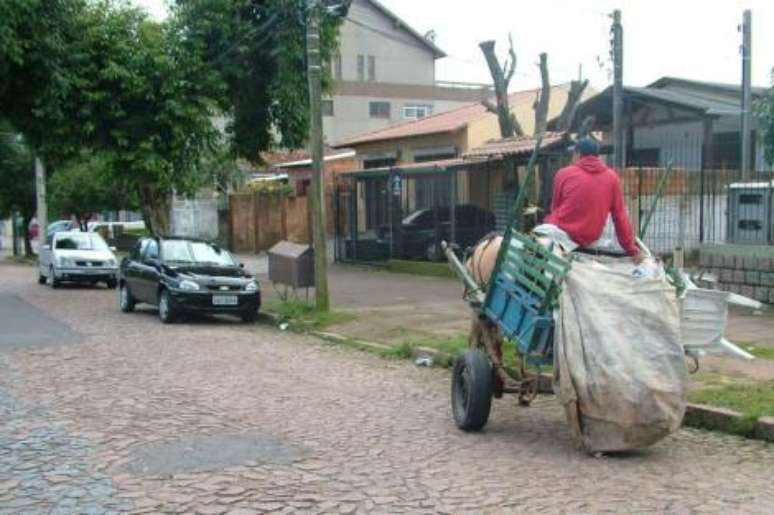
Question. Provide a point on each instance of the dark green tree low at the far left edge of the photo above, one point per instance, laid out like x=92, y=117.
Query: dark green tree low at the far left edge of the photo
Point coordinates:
x=17, y=179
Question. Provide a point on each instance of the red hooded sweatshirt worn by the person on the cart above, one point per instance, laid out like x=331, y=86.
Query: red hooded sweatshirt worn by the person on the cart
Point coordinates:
x=585, y=193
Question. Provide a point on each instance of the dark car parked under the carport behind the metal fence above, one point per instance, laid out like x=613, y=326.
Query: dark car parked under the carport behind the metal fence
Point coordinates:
x=418, y=231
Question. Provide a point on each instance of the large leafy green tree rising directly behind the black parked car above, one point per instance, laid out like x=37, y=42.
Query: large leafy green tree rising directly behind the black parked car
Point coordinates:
x=145, y=101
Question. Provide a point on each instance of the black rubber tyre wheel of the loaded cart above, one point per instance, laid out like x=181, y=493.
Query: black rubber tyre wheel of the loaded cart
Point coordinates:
x=472, y=390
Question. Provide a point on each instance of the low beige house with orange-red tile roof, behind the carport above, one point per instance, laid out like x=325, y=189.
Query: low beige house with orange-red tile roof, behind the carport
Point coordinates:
x=441, y=140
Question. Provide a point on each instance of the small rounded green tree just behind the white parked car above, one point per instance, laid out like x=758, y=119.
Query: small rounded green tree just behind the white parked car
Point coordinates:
x=85, y=186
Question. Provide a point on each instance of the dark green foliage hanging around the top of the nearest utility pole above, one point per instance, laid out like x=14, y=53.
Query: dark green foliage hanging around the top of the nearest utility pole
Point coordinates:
x=257, y=48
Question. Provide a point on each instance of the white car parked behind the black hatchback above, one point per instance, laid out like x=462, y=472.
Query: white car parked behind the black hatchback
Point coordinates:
x=78, y=257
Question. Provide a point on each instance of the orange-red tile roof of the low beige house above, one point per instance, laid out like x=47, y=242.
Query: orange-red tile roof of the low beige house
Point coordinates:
x=449, y=121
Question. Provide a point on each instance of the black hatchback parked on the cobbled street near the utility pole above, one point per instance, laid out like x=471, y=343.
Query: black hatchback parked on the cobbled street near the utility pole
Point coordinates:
x=187, y=276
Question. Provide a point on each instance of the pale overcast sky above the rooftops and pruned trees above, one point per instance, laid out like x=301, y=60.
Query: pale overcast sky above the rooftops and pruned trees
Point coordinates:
x=694, y=39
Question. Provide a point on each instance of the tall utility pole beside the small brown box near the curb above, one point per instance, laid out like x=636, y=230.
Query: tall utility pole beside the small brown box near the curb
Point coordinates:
x=314, y=74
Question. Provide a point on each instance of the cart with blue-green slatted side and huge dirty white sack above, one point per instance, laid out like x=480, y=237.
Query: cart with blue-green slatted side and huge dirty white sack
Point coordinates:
x=617, y=338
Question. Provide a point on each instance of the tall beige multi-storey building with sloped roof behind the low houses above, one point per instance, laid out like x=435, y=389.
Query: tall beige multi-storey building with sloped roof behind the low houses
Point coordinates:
x=385, y=74
